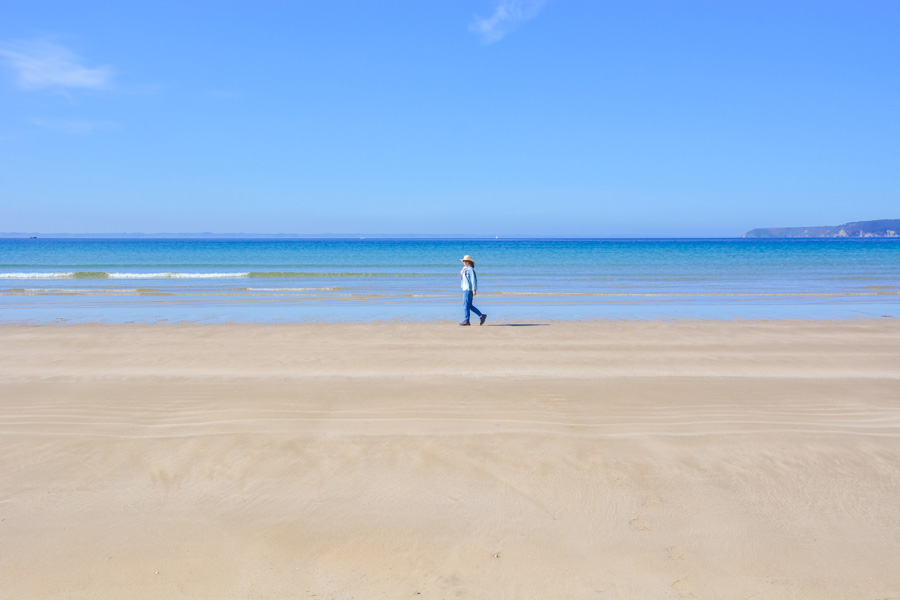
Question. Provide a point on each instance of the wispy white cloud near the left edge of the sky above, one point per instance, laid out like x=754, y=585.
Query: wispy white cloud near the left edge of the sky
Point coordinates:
x=44, y=64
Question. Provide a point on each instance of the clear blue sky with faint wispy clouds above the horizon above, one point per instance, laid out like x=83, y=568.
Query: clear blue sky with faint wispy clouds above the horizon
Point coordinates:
x=483, y=117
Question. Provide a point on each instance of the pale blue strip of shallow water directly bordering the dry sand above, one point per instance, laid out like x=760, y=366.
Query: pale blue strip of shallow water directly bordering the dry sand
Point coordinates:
x=561, y=309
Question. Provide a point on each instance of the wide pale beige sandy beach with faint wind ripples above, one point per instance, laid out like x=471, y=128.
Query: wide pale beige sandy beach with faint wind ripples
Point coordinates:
x=644, y=460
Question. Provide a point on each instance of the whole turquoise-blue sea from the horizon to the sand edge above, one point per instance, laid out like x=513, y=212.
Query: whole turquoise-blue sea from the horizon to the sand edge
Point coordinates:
x=51, y=280
